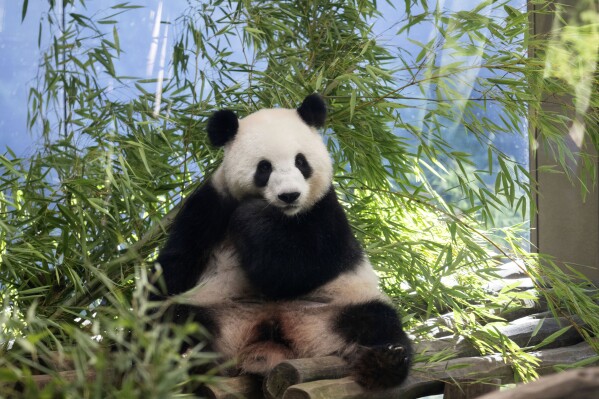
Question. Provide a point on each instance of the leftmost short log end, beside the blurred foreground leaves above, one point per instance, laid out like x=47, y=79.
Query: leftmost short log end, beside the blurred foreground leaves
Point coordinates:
x=245, y=386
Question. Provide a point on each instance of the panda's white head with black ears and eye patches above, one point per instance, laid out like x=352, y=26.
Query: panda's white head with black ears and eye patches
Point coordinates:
x=275, y=154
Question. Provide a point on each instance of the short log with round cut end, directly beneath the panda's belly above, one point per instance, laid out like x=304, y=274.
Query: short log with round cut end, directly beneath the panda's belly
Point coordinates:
x=297, y=371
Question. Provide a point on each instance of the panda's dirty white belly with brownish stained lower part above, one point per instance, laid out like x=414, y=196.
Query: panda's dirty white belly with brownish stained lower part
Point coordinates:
x=260, y=333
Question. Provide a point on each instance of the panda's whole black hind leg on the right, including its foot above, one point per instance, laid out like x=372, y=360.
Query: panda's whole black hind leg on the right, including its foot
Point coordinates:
x=386, y=354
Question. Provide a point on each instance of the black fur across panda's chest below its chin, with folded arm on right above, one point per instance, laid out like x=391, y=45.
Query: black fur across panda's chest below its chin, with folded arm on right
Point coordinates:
x=289, y=256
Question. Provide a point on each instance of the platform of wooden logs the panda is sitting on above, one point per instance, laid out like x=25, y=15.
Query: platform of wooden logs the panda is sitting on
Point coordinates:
x=327, y=377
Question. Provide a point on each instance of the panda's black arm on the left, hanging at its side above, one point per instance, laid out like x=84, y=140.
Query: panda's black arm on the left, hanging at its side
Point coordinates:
x=199, y=226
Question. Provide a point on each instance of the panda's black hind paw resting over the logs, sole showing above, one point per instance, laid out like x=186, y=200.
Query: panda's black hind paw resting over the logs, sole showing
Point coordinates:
x=381, y=367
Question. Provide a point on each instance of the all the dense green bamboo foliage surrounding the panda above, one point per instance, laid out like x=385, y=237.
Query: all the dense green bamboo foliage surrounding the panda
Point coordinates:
x=85, y=214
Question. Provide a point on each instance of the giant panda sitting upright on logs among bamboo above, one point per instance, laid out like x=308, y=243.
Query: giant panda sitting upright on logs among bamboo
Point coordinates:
x=265, y=259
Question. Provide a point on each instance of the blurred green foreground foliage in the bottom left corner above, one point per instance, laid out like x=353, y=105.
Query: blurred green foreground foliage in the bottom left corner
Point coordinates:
x=139, y=362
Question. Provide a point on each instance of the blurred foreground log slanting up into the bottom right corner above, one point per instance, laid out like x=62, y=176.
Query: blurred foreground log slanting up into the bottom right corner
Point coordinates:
x=573, y=384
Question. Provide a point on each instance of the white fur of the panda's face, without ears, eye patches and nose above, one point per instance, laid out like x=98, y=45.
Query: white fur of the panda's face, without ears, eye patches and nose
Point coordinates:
x=276, y=135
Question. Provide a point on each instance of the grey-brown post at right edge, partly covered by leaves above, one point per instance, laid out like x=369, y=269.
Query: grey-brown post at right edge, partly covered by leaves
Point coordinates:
x=565, y=226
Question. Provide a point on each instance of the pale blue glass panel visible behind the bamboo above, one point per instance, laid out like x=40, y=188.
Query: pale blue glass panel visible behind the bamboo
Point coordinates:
x=147, y=35
